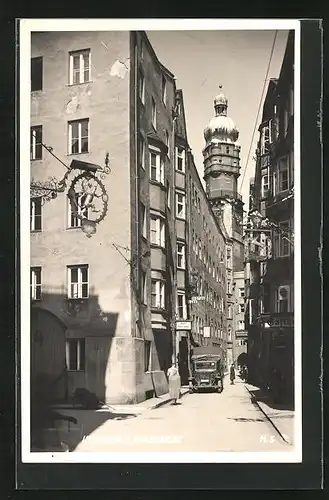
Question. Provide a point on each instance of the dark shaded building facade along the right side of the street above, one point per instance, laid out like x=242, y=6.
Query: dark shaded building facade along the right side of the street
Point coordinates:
x=270, y=252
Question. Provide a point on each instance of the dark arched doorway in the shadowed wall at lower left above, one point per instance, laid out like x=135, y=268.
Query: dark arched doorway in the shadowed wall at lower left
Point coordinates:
x=48, y=363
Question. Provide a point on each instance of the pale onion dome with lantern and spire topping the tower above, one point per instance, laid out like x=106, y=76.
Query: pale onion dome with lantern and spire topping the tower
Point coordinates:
x=221, y=127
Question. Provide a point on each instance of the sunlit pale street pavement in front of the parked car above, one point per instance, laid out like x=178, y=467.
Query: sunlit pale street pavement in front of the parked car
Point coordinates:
x=201, y=422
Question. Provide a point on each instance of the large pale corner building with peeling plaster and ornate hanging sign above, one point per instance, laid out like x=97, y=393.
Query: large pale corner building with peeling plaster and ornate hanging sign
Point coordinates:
x=110, y=298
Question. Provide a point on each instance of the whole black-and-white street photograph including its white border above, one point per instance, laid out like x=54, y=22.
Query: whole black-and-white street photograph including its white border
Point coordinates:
x=161, y=265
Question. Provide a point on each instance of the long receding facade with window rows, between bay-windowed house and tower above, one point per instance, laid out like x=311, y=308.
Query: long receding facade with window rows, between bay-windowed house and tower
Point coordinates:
x=207, y=267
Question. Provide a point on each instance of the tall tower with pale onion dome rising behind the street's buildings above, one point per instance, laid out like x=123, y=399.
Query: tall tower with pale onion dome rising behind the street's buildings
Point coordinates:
x=221, y=172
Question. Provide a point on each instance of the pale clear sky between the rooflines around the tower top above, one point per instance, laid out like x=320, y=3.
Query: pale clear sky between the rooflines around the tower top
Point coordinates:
x=236, y=59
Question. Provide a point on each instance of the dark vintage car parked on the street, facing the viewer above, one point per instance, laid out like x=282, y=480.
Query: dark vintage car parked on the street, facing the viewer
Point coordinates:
x=207, y=367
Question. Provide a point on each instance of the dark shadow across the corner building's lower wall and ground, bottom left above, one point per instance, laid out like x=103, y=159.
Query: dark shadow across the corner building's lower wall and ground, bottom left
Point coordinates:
x=70, y=344
